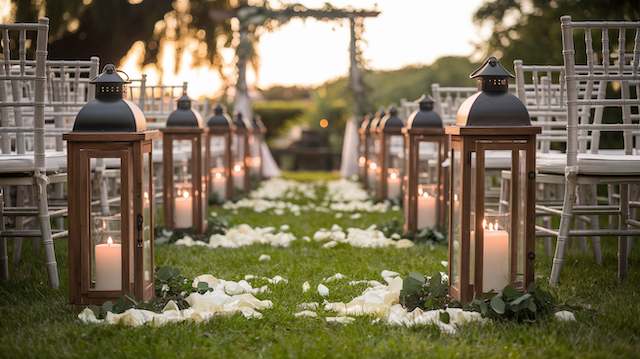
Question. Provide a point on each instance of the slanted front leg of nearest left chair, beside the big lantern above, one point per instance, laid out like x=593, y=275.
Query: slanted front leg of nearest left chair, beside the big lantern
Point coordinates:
x=45, y=229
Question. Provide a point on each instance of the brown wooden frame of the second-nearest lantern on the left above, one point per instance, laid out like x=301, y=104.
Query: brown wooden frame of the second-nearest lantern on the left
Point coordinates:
x=196, y=136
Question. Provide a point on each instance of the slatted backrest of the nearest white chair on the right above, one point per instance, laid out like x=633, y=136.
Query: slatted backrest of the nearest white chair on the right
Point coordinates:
x=623, y=73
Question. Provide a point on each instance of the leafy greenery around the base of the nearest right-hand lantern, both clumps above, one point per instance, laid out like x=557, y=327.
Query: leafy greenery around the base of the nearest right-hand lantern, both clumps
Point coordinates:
x=512, y=304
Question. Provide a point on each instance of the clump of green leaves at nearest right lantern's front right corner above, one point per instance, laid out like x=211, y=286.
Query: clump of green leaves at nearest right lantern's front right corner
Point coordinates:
x=516, y=305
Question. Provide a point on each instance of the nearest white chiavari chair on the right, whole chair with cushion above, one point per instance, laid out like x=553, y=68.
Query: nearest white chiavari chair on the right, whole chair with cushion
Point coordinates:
x=587, y=163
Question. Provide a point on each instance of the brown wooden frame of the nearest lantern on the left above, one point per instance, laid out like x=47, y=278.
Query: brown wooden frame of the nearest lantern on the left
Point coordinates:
x=129, y=148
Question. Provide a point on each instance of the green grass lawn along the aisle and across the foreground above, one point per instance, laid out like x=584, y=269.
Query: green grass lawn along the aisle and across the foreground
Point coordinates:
x=37, y=322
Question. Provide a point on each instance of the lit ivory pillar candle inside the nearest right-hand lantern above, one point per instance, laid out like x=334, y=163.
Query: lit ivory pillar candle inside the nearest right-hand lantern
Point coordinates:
x=495, y=260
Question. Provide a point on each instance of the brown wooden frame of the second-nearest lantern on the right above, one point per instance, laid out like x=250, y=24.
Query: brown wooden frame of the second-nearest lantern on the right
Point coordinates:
x=412, y=139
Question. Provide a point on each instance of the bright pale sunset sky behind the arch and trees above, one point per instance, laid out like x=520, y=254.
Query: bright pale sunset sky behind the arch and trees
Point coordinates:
x=310, y=52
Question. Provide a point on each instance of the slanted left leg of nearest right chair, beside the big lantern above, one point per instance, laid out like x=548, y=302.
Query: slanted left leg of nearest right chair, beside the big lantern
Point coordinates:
x=565, y=224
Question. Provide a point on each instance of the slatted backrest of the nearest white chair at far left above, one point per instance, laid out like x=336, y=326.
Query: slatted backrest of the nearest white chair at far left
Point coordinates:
x=17, y=81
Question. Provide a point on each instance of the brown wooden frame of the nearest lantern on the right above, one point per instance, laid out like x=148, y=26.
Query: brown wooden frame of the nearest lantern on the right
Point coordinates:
x=475, y=139
